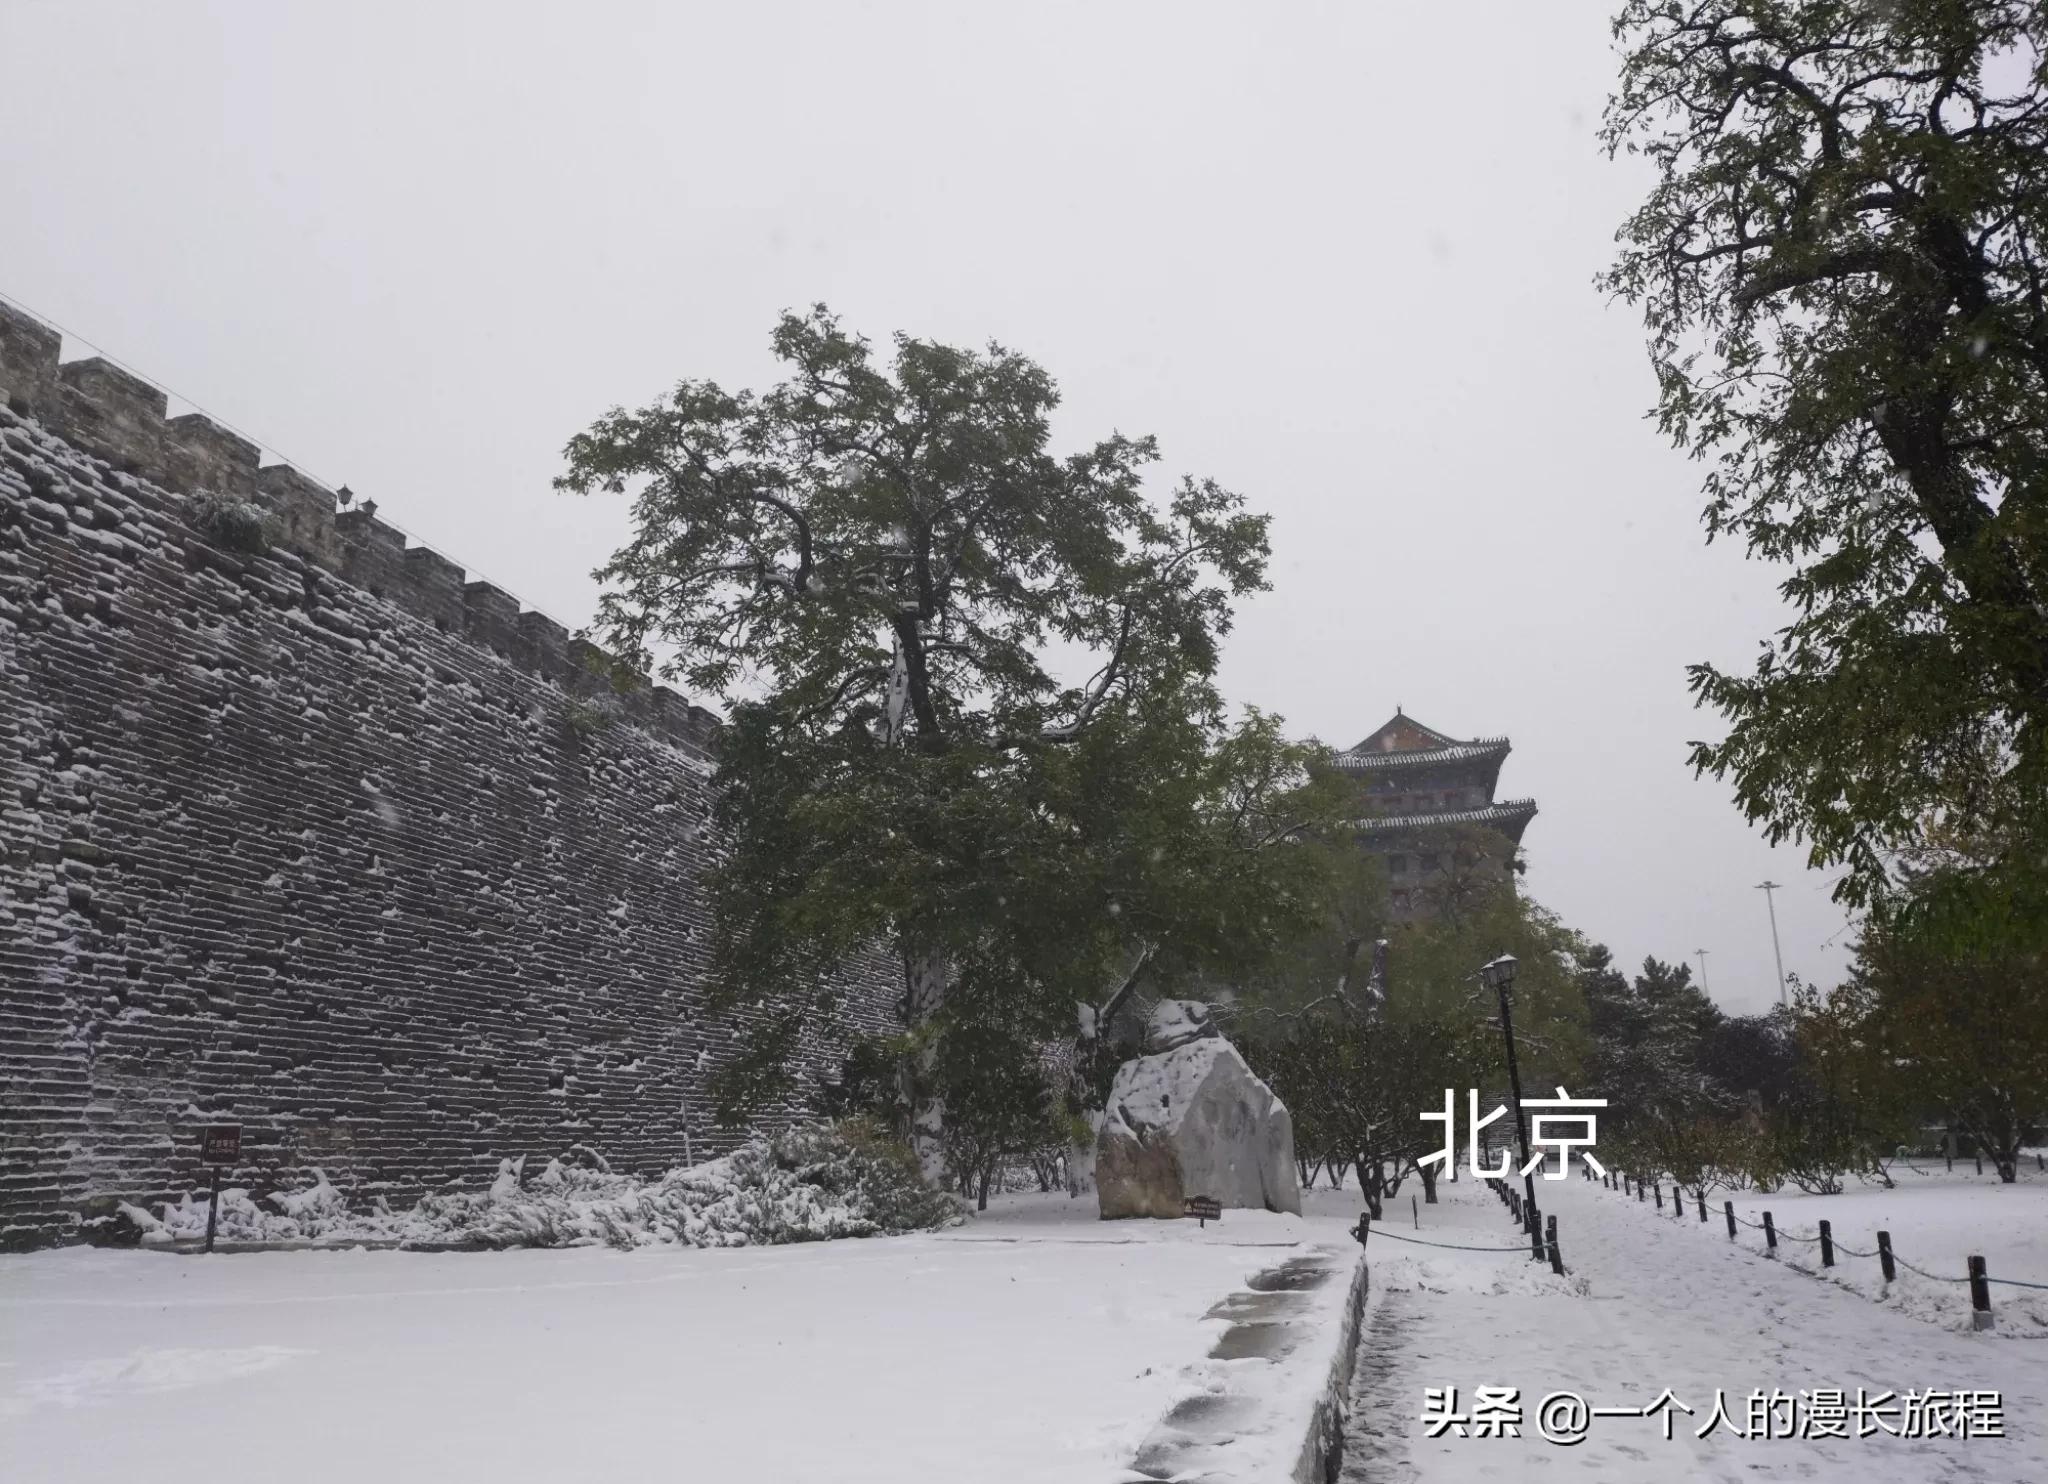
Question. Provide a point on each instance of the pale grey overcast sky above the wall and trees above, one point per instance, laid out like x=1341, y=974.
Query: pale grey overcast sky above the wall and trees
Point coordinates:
x=1336, y=257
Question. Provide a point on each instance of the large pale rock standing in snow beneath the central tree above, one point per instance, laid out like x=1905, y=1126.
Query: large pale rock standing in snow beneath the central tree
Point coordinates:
x=1193, y=1121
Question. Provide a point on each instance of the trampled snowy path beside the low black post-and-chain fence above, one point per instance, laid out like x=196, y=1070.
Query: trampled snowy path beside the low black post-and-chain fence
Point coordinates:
x=1664, y=1305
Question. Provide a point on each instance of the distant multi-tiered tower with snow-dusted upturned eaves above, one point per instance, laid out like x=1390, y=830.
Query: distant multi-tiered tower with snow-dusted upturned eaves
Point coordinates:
x=1433, y=816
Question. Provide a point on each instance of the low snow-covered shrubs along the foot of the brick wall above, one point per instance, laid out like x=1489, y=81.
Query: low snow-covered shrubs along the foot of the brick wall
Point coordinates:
x=800, y=1186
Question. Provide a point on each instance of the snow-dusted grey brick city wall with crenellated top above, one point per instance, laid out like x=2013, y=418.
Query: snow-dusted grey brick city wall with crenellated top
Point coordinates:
x=306, y=832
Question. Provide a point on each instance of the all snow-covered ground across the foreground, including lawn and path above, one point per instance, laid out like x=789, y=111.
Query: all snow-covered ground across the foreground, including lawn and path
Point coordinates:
x=1033, y=1344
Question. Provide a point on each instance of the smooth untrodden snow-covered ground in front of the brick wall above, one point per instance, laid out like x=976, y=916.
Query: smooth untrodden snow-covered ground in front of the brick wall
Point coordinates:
x=1035, y=1344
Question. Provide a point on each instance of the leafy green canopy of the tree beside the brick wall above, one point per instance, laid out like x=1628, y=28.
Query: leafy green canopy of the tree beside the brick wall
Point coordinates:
x=970, y=689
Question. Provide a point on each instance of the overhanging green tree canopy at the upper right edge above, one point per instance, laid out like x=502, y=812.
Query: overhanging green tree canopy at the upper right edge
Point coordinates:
x=1842, y=273
